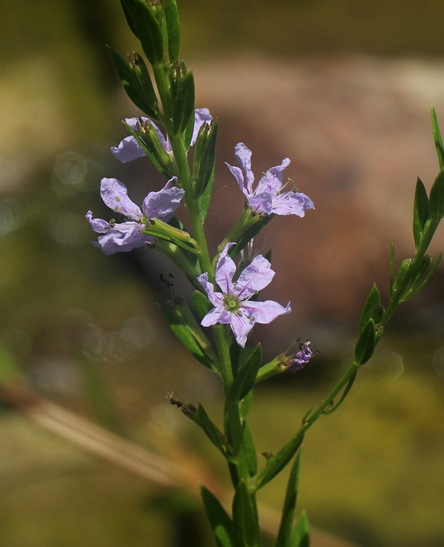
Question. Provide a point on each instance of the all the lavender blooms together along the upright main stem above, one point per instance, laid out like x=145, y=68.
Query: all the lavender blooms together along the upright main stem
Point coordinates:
x=235, y=304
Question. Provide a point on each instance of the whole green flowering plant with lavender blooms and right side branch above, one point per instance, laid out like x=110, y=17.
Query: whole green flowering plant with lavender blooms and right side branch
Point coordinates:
x=180, y=141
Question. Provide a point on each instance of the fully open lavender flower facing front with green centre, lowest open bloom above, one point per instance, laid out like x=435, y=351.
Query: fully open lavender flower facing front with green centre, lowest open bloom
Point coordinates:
x=233, y=306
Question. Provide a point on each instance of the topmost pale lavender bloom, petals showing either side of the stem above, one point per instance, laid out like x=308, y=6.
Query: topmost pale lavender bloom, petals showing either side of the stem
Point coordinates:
x=129, y=149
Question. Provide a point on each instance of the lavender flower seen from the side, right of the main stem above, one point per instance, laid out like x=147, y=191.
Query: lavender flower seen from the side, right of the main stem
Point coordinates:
x=268, y=198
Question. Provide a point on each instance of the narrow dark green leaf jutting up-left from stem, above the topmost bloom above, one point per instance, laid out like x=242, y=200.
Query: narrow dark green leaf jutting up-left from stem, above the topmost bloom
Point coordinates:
x=139, y=95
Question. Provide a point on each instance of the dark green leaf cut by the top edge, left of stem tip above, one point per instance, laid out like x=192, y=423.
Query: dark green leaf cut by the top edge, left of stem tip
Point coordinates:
x=148, y=29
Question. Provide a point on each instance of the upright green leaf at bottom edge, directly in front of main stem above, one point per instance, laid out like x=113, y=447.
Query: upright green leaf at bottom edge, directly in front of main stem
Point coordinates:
x=244, y=516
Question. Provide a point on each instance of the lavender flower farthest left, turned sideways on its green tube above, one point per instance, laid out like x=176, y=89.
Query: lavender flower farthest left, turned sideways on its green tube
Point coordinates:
x=127, y=235
